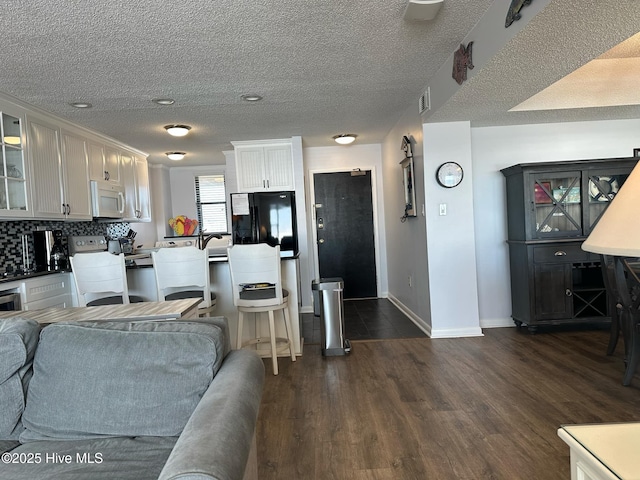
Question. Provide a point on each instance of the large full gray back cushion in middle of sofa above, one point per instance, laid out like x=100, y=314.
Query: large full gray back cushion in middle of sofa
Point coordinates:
x=93, y=379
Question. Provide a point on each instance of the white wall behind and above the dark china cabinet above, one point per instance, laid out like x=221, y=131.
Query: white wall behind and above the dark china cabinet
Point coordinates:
x=494, y=148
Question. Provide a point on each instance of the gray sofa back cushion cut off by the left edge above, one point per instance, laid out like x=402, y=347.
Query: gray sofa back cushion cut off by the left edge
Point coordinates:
x=18, y=342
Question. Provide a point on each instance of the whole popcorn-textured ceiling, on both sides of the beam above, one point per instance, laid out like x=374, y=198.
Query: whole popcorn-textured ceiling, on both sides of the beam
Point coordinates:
x=323, y=68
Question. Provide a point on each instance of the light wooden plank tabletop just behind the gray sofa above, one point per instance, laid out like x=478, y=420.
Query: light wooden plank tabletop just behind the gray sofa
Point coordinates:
x=169, y=310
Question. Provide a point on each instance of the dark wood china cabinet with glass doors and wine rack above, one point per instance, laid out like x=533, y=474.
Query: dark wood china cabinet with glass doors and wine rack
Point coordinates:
x=551, y=209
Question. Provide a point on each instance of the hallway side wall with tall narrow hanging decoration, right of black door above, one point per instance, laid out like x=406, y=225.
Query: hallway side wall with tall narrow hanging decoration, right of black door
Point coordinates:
x=408, y=282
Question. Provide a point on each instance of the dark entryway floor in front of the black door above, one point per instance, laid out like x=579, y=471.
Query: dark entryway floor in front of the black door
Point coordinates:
x=371, y=319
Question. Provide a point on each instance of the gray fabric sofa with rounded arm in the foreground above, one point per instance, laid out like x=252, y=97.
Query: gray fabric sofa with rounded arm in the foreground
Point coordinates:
x=127, y=400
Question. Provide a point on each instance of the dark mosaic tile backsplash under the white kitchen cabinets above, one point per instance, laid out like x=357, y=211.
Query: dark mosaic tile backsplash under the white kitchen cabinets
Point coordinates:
x=11, y=235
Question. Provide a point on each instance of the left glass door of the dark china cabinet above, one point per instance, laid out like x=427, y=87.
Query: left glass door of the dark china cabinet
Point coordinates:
x=557, y=205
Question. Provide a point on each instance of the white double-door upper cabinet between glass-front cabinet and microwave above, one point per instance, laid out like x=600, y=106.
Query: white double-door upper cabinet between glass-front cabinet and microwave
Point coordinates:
x=59, y=172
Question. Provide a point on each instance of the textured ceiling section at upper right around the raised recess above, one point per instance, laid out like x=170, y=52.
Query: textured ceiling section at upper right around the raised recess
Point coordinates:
x=563, y=37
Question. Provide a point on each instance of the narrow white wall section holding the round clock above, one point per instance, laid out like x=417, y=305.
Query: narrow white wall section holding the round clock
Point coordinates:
x=450, y=237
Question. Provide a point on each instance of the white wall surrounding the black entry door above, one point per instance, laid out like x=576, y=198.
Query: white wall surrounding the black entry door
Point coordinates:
x=346, y=158
